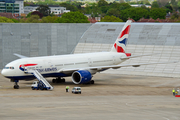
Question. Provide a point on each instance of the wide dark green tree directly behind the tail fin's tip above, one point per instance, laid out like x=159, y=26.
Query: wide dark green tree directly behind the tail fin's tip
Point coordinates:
x=134, y=13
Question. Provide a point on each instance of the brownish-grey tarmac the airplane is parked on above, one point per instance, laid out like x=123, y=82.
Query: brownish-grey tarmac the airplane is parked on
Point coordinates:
x=112, y=97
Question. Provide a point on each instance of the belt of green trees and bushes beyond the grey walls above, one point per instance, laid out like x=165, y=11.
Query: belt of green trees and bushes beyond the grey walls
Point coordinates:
x=116, y=11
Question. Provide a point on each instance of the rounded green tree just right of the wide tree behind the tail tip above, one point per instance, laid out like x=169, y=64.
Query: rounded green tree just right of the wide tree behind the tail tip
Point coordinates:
x=158, y=13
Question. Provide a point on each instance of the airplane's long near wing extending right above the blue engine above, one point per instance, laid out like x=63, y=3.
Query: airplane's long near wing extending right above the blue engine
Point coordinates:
x=101, y=68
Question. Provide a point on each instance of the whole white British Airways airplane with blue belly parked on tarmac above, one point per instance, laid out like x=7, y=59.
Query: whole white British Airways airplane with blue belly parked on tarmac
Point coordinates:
x=81, y=67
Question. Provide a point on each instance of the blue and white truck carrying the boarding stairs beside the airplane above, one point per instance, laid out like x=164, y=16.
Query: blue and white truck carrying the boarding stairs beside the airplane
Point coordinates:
x=38, y=85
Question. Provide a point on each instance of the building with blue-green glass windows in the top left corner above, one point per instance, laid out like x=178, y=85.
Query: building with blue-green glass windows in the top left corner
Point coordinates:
x=12, y=6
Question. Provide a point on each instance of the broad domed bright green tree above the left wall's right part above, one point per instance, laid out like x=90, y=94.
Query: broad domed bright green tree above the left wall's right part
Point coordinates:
x=72, y=17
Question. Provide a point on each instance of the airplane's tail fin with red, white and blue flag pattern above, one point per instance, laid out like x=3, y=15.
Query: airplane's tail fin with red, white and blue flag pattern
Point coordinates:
x=120, y=43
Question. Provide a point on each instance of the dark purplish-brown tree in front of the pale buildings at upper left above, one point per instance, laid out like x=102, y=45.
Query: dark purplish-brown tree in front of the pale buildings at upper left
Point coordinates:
x=44, y=9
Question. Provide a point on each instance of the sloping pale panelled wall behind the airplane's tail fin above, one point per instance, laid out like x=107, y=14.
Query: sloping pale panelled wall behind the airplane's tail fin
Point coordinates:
x=144, y=38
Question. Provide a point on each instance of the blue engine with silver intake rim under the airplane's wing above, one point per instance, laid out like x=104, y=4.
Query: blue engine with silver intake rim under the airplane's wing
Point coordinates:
x=81, y=76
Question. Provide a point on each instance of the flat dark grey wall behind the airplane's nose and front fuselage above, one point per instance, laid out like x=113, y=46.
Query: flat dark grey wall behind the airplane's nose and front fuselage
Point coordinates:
x=38, y=39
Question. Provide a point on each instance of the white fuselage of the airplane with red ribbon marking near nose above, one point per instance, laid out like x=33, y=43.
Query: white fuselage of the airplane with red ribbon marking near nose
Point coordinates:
x=49, y=66
